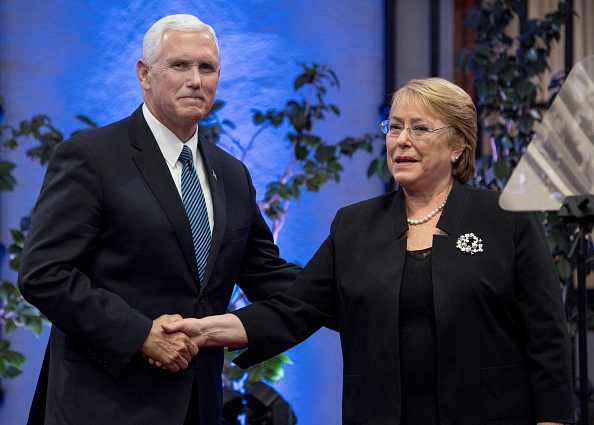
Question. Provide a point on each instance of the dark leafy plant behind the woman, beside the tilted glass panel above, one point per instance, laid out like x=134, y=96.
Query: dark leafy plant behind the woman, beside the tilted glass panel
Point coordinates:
x=507, y=75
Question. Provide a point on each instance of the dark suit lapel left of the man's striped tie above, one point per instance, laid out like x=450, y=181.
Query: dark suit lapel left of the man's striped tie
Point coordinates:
x=153, y=168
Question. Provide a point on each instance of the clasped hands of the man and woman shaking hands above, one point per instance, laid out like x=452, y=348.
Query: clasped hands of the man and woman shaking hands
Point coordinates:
x=173, y=341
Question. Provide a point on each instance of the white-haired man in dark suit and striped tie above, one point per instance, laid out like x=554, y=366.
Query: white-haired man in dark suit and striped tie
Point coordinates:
x=110, y=253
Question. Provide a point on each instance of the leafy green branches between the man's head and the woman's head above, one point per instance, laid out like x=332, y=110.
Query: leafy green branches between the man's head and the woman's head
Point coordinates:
x=312, y=161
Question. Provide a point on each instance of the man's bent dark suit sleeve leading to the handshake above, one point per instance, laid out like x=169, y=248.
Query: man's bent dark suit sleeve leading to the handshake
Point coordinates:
x=59, y=254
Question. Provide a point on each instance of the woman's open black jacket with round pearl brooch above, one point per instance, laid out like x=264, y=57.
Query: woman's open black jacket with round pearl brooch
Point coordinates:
x=502, y=344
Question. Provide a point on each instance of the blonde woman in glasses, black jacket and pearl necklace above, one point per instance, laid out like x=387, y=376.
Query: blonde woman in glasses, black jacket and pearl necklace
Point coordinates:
x=449, y=308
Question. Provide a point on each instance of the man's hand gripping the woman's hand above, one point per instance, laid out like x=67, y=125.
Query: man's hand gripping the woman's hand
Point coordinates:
x=171, y=351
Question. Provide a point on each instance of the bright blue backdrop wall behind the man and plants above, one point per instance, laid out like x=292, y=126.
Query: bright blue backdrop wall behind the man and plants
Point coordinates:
x=68, y=57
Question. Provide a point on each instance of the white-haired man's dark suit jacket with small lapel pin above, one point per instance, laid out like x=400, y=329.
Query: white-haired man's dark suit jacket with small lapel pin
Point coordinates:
x=110, y=249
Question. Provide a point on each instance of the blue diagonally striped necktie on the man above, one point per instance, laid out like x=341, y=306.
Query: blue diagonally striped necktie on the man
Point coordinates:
x=195, y=205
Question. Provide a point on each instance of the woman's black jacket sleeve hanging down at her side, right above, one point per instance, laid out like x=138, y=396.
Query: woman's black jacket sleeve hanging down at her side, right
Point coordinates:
x=538, y=293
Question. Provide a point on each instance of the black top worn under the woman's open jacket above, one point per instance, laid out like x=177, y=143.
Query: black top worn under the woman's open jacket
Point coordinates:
x=418, y=354
